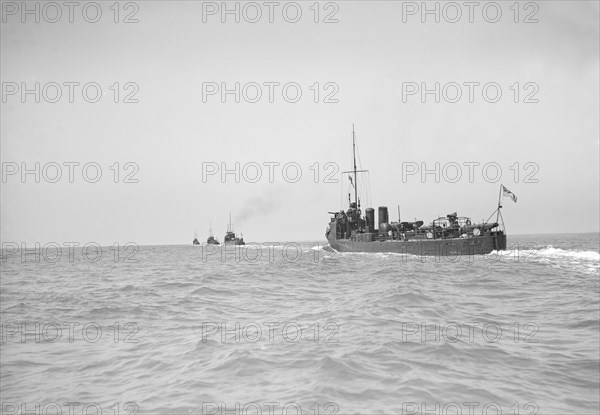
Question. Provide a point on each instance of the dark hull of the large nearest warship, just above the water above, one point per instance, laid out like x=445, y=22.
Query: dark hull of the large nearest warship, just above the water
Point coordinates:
x=476, y=245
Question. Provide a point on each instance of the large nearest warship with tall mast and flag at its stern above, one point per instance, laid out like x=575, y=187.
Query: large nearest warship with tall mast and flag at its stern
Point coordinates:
x=450, y=235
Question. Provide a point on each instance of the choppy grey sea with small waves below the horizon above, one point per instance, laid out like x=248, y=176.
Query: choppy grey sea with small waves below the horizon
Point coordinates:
x=297, y=329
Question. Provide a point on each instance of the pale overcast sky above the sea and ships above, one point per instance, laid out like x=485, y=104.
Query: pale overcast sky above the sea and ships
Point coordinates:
x=367, y=58
